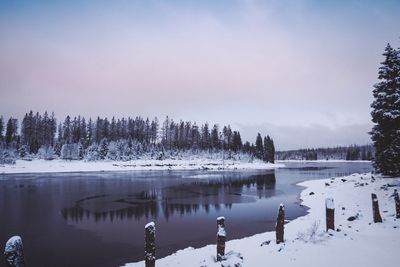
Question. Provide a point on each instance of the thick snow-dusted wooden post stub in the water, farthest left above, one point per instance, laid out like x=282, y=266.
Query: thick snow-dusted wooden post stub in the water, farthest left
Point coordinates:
x=14, y=252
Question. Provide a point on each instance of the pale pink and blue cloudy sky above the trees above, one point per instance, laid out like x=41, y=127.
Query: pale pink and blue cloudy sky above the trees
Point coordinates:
x=301, y=71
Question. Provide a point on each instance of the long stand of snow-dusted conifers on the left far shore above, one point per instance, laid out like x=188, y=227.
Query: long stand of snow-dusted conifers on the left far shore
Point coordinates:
x=121, y=139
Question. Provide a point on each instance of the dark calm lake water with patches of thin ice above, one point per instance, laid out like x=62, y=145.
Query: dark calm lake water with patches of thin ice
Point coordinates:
x=97, y=219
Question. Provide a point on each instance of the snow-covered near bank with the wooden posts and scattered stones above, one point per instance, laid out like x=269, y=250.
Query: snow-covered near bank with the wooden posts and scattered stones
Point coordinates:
x=357, y=241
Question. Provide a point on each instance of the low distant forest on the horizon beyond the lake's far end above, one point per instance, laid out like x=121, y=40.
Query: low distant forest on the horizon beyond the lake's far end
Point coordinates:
x=353, y=152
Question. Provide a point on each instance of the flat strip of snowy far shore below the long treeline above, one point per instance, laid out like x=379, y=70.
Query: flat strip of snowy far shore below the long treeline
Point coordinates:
x=58, y=165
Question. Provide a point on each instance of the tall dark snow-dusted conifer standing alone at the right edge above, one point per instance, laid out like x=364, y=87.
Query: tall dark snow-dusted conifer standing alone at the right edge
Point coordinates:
x=385, y=133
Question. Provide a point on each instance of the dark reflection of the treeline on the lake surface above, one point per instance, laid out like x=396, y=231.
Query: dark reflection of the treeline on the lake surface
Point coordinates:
x=186, y=198
